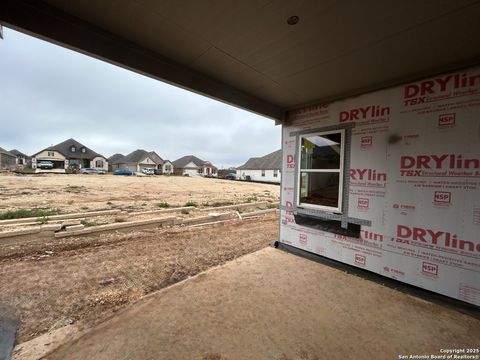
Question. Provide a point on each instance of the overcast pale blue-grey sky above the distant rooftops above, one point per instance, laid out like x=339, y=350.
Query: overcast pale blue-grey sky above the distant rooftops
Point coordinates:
x=49, y=94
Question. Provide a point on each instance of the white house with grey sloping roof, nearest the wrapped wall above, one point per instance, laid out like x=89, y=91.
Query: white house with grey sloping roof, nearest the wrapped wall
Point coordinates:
x=264, y=169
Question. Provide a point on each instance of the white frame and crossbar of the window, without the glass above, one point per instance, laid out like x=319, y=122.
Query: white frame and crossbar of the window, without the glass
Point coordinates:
x=331, y=209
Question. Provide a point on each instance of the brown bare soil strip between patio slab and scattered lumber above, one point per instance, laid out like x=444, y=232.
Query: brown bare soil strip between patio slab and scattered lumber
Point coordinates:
x=84, y=280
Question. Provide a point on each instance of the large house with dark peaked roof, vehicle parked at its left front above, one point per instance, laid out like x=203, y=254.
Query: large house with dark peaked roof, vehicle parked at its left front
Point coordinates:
x=70, y=154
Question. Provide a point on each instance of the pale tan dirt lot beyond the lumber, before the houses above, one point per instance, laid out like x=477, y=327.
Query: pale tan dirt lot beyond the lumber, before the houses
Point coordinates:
x=74, y=193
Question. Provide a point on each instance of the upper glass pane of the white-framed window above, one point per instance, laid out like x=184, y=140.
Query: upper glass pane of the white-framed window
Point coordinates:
x=321, y=151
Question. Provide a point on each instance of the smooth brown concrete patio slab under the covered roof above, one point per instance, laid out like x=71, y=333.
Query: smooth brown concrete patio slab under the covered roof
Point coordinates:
x=275, y=305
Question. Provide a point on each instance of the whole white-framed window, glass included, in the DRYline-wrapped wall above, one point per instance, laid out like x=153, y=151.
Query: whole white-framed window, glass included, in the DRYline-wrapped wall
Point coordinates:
x=320, y=179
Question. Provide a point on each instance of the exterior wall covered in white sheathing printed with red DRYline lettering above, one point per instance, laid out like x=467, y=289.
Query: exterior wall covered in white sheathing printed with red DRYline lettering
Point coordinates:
x=413, y=184
